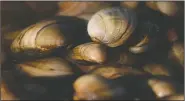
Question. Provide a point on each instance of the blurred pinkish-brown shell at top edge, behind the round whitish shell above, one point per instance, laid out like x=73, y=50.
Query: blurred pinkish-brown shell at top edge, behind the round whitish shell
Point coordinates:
x=83, y=10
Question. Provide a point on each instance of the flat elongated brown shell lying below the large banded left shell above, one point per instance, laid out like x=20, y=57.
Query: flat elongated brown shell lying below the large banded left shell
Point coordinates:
x=47, y=67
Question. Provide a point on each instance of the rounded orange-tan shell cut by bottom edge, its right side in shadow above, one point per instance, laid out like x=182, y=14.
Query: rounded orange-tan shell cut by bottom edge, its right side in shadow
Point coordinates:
x=94, y=87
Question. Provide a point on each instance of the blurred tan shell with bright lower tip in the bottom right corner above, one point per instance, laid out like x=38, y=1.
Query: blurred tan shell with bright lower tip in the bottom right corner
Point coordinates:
x=164, y=86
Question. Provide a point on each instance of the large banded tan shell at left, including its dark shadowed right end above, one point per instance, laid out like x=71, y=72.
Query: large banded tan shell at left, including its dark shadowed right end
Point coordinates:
x=44, y=37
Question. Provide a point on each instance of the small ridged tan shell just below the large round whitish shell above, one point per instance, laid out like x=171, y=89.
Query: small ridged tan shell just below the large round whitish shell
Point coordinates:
x=90, y=52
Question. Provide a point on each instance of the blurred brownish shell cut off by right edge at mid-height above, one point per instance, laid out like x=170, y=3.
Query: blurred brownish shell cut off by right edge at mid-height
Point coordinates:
x=177, y=53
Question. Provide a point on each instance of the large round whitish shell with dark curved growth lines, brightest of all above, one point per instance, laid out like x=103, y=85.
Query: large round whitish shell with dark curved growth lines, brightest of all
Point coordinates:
x=112, y=26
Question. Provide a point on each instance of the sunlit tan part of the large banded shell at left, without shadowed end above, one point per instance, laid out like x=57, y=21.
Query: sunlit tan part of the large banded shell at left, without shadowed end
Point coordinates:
x=39, y=39
